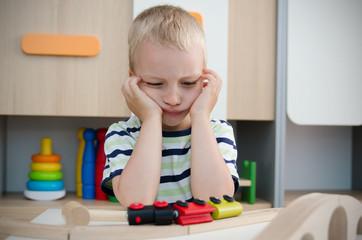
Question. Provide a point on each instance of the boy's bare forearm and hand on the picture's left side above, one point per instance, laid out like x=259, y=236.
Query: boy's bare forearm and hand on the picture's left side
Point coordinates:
x=141, y=176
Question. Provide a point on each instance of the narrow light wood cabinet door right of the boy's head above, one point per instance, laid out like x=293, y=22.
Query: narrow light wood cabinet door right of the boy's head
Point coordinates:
x=252, y=59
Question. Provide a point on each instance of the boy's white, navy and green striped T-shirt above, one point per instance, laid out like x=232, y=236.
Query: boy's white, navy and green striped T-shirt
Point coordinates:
x=175, y=181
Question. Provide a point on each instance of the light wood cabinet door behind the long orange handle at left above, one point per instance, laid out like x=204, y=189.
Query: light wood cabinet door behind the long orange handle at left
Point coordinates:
x=64, y=85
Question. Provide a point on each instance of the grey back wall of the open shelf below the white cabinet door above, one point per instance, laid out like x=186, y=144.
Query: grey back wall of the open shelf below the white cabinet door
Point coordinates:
x=318, y=157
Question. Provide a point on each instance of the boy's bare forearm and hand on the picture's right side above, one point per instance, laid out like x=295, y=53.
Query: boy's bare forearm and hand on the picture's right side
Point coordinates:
x=209, y=174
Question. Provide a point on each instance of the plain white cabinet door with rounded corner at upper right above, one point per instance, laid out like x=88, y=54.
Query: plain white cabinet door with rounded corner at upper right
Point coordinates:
x=324, y=77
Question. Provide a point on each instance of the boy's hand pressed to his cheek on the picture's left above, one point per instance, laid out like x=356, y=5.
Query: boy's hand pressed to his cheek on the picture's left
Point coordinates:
x=138, y=101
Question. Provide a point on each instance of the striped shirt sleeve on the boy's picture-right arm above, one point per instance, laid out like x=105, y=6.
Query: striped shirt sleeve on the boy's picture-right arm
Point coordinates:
x=224, y=135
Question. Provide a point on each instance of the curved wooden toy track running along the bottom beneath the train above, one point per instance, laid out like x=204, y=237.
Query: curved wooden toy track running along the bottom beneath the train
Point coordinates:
x=32, y=230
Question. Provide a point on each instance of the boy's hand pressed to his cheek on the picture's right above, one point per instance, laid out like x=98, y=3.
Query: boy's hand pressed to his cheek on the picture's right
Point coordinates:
x=206, y=101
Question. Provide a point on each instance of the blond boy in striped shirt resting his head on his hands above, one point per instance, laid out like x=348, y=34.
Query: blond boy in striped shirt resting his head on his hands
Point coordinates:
x=169, y=149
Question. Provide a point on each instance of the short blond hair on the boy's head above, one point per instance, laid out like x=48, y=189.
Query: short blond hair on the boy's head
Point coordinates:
x=168, y=26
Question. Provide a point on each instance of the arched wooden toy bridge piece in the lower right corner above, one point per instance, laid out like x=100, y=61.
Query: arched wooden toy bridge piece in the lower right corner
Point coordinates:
x=316, y=216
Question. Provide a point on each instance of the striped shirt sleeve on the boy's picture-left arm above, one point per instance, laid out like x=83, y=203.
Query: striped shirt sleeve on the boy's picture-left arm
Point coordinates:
x=118, y=147
